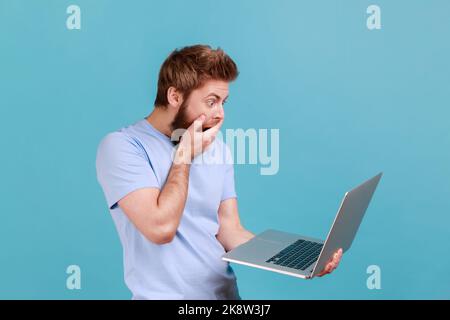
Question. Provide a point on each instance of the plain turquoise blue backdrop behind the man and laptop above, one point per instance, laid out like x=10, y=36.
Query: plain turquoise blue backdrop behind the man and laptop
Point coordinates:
x=349, y=102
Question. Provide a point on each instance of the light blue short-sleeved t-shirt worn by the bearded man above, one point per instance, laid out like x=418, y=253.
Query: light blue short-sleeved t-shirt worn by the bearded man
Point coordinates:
x=190, y=266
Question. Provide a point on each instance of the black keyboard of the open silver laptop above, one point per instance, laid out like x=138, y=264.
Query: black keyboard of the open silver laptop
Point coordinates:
x=299, y=255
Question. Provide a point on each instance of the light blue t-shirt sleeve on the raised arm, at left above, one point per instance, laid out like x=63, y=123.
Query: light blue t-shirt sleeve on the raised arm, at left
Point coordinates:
x=122, y=167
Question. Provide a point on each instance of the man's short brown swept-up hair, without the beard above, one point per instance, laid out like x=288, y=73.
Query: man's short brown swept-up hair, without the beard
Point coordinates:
x=190, y=67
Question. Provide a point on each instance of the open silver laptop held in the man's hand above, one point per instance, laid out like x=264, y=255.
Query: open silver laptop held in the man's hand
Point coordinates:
x=305, y=257
